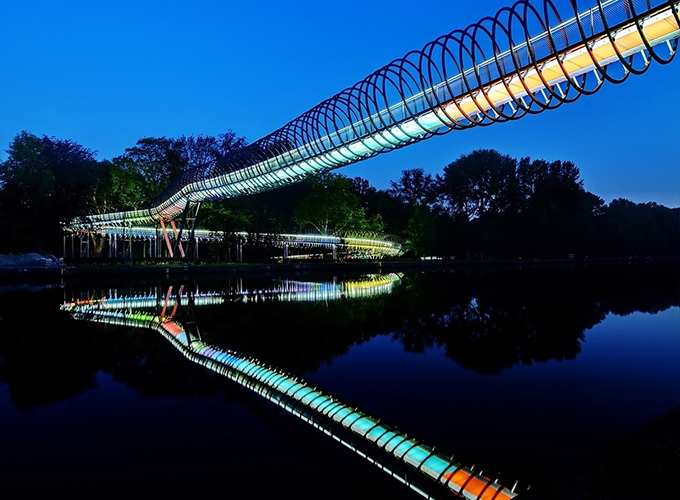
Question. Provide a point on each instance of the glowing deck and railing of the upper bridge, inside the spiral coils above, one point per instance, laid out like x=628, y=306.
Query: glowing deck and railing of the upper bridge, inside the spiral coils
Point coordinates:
x=395, y=129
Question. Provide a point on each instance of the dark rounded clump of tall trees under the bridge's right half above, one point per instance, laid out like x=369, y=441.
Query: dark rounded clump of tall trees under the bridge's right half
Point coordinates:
x=526, y=208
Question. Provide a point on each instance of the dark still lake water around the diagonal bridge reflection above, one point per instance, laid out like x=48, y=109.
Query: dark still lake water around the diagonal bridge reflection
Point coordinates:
x=523, y=372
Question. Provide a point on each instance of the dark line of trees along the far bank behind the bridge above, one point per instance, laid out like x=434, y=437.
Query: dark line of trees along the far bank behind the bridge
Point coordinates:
x=483, y=205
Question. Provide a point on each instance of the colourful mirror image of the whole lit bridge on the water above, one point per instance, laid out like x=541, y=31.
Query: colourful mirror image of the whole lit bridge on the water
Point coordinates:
x=381, y=444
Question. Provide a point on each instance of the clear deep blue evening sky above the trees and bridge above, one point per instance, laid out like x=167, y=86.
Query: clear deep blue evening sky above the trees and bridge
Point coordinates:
x=105, y=74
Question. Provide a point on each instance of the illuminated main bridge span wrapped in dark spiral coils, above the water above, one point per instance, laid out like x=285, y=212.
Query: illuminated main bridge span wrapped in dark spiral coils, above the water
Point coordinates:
x=528, y=58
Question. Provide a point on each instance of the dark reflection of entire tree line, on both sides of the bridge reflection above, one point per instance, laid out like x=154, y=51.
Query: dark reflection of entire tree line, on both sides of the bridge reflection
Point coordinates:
x=485, y=320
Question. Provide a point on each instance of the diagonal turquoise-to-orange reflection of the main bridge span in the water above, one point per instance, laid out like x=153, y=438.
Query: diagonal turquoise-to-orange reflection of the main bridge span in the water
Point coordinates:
x=301, y=399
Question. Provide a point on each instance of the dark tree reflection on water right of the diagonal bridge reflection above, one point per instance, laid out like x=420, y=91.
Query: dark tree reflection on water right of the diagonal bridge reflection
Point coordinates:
x=485, y=319
